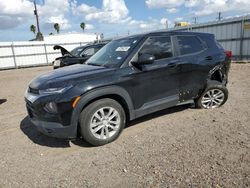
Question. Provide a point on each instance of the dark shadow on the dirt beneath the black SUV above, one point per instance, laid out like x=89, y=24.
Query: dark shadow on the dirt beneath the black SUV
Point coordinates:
x=38, y=138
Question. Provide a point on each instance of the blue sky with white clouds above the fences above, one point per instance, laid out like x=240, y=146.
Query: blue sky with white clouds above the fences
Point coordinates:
x=110, y=17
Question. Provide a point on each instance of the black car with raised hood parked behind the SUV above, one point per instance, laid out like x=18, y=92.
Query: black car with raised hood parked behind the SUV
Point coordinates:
x=77, y=56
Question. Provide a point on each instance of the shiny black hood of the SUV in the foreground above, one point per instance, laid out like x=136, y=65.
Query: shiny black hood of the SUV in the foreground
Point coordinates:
x=68, y=76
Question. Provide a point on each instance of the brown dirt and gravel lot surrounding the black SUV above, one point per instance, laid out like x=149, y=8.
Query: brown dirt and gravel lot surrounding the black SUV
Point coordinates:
x=178, y=147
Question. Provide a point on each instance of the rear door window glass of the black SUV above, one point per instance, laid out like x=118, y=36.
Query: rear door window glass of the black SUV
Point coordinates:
x=189, y=44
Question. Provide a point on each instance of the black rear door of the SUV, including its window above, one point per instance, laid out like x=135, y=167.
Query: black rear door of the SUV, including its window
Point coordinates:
x=194, y=61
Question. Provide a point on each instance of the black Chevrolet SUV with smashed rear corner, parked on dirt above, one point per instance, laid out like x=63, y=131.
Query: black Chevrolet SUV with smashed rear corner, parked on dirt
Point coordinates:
x=129, y=78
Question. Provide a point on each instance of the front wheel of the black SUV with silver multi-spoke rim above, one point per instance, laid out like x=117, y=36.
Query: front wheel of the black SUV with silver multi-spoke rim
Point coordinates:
x=102, y=121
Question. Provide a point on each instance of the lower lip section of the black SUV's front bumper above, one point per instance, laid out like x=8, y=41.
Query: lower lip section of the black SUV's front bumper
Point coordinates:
x=53, y=129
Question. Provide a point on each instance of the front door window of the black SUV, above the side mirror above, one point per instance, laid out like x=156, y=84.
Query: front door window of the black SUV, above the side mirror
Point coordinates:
x=160, y=47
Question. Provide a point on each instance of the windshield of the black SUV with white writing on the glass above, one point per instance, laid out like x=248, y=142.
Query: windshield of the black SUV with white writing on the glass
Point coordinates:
x=114, y=53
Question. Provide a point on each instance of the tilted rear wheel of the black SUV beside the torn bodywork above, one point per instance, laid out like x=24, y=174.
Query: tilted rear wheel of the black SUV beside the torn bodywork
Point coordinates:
x=214, y=96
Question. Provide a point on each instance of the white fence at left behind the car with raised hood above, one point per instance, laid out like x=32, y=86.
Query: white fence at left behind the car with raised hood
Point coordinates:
x=25, y=54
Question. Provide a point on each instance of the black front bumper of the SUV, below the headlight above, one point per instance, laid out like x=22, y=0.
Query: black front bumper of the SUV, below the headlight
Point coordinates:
x=55, y=125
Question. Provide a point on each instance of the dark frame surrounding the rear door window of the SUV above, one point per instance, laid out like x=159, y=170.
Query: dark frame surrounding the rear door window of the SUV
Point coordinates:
x=178, y=52
